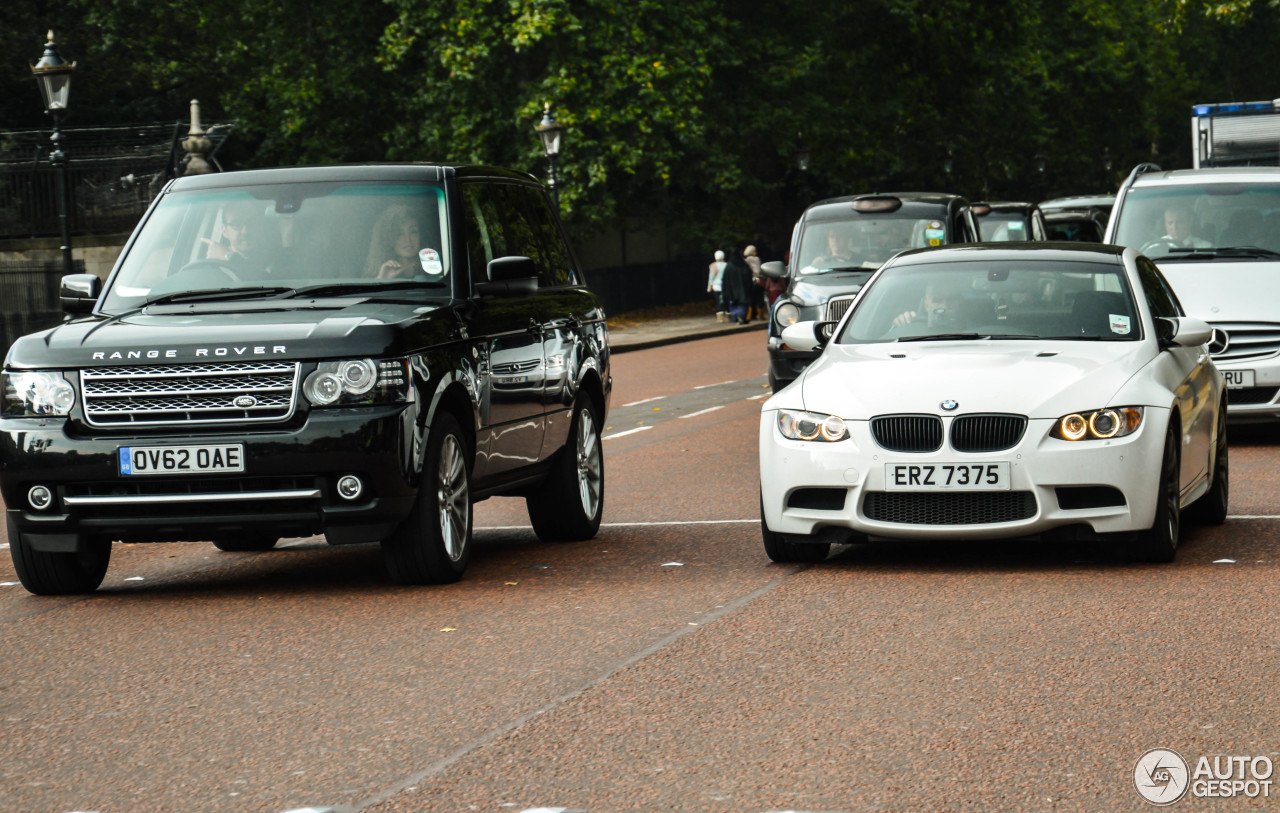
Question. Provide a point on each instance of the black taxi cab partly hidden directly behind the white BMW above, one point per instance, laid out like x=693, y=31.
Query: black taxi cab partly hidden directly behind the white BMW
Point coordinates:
x=836, y=246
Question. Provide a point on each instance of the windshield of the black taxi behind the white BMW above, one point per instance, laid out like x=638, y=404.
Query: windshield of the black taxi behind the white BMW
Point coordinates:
x=866, y=243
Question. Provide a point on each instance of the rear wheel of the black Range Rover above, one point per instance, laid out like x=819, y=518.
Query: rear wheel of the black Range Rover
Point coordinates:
x=570, y=504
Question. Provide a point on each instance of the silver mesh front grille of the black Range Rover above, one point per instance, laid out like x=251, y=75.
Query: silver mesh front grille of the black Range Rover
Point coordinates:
x=199, y=394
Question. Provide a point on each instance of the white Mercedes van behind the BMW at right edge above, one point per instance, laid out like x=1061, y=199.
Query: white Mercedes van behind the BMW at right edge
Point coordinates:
x=1214, y=235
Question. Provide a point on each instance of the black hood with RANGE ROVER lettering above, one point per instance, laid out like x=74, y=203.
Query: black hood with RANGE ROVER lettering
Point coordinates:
x=162, y=336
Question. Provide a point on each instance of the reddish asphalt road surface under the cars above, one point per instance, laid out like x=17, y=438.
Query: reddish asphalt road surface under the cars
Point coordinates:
x=602, y=677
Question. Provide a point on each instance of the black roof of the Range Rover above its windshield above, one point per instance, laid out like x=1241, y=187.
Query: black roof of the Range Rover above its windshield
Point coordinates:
x=429, y=173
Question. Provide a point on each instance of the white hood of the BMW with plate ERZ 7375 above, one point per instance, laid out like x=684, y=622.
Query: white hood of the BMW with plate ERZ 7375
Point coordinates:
x=1039, y=380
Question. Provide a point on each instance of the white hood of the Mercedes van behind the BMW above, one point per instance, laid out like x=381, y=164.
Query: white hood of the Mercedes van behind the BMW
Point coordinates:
x=1226, y=291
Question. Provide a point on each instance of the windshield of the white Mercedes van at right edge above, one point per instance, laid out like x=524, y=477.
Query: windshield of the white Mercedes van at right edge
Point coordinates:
x=1203, y=222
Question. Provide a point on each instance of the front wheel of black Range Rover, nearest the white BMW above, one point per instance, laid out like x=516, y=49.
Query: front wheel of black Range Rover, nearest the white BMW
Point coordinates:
x=433, y=545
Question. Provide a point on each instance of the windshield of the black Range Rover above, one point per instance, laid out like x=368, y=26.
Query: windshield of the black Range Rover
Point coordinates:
x=284, y=240
